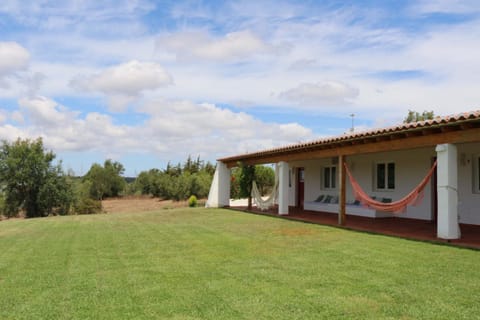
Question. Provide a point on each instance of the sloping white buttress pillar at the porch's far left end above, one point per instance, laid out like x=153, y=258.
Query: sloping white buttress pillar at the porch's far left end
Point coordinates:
x=219, y=194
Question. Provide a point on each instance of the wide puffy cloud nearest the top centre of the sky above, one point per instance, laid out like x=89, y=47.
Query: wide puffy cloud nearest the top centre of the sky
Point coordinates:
x=233, y=46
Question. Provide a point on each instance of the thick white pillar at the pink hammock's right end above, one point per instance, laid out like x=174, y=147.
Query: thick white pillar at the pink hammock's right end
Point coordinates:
x=447, y=181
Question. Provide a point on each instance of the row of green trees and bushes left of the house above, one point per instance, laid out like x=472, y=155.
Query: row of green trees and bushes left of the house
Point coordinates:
x=31, y=183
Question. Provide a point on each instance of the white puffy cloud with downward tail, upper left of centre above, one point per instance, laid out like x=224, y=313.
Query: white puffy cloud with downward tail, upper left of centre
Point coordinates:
x=125, y=82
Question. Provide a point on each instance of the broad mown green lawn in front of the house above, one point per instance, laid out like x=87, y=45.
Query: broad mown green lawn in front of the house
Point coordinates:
x=221, y=264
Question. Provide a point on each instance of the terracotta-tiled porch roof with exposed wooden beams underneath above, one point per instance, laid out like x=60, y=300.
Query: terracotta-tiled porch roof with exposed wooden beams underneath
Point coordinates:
x=459, y=128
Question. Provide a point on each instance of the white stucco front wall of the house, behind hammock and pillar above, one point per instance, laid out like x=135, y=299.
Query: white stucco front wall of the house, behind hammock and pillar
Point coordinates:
x=410, y=167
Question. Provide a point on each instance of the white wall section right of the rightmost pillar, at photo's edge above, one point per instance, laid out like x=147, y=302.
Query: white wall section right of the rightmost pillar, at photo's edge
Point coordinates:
x=468, y=200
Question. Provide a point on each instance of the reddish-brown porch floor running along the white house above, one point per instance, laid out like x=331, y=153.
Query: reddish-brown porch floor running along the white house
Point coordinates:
x=395, y=226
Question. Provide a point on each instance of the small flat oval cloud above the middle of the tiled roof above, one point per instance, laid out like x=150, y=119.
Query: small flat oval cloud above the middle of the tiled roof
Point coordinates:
x=321, y=94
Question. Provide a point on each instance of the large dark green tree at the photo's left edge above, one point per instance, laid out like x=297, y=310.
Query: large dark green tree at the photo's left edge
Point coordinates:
x=31, y=182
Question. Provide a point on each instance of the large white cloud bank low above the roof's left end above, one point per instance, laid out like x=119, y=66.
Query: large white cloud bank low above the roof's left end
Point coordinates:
x=207, y=129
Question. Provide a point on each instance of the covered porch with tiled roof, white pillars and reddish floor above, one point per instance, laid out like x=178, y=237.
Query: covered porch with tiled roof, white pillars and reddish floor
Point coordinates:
x=451, y=142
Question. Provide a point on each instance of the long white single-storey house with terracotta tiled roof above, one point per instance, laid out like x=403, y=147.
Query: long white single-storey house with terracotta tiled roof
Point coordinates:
x=387, y=163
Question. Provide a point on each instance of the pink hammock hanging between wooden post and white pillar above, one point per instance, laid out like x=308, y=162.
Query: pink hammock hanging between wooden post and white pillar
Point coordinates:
x=399, y=206
